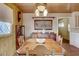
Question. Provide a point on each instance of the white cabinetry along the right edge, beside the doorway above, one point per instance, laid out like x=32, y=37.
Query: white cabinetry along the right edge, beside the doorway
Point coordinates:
x=74, y=31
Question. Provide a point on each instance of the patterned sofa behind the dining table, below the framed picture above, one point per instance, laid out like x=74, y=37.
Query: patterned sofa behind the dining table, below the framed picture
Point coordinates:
x=50, y=35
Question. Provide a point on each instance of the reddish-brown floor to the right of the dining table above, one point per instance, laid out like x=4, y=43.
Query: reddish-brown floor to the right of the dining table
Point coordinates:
x=71, y=50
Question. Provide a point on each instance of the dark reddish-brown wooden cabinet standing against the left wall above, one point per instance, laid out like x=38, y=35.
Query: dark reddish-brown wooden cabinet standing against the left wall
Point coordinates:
x=20, y=35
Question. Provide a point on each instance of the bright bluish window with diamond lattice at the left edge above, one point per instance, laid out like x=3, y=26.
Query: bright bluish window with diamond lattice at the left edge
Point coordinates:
x=5, y=28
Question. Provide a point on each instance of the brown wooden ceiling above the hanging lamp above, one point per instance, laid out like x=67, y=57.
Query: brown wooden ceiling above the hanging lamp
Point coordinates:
x=51, y=7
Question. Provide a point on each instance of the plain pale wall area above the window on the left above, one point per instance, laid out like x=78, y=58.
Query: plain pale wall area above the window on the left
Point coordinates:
x=6, y=13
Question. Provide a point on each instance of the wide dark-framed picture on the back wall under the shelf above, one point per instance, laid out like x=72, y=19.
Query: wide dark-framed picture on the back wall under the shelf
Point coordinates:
x=43, y=24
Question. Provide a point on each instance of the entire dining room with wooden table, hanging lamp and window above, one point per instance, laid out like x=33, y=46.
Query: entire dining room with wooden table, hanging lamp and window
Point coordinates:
x=39, y=29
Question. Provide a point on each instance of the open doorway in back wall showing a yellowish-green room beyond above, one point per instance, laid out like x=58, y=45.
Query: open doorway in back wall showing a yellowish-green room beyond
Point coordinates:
x=63, y=29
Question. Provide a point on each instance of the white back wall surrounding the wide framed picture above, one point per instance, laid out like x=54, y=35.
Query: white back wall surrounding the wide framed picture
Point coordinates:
x=29, y=22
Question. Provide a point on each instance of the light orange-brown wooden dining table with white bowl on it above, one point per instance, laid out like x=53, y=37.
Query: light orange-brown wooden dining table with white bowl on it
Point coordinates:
x=32, y=43
